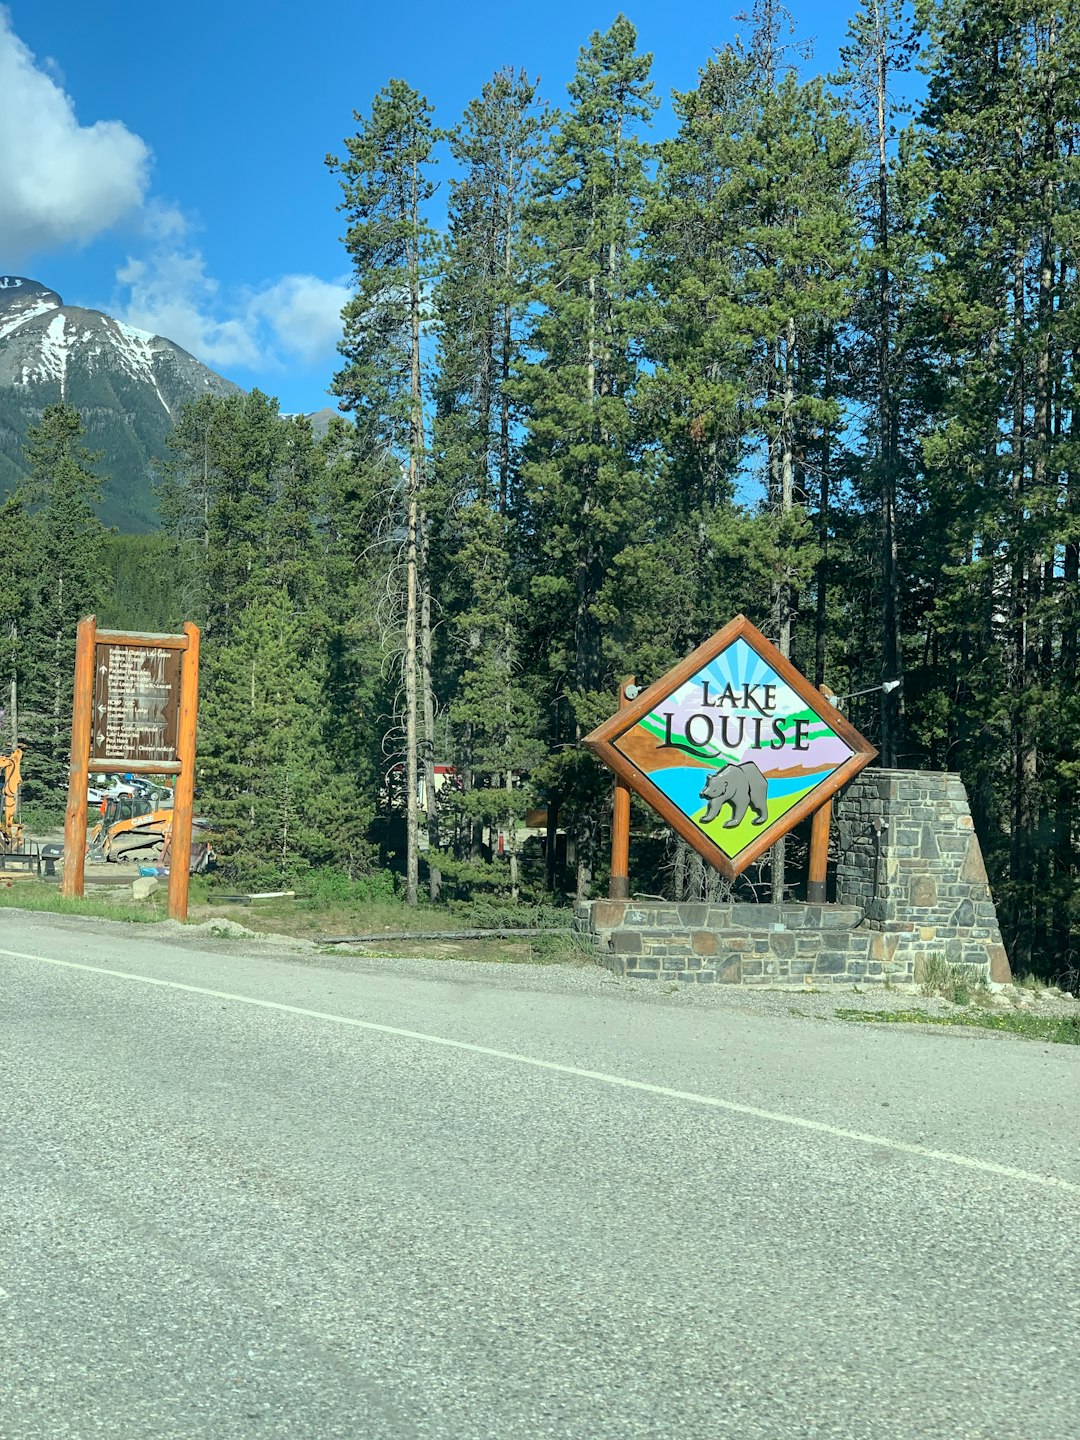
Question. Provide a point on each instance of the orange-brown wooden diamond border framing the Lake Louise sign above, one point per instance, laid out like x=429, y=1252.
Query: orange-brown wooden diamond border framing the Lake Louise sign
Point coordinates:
x=603, y=744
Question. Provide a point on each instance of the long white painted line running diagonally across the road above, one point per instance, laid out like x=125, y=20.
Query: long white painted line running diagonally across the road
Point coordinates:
x=601, y=1076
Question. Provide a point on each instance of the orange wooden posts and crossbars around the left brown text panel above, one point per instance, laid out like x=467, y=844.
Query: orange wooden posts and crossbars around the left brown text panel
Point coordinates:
x=83, y=741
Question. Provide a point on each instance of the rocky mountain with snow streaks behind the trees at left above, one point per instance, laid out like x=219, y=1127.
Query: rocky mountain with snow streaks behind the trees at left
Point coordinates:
x=127, y=384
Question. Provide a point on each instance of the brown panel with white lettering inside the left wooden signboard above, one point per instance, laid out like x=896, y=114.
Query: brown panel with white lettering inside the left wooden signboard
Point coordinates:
x=136, y=703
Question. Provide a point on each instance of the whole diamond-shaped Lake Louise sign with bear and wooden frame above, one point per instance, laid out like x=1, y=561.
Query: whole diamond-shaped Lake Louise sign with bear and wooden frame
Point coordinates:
x=732, y=748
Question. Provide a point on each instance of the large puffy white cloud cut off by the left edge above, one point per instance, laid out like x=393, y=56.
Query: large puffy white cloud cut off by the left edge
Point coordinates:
x=61, y=184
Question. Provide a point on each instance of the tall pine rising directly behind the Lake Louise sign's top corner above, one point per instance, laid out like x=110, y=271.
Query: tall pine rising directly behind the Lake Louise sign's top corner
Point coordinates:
x=791, y=210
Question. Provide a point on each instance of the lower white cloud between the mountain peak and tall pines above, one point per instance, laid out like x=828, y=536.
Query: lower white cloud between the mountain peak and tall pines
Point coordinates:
x=296, y=318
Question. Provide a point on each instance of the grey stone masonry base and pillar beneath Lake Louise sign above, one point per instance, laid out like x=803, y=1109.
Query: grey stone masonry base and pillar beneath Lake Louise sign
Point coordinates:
x=911, y=883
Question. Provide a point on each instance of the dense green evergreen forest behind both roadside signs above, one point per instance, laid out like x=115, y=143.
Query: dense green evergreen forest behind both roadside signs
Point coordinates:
x=810, y=358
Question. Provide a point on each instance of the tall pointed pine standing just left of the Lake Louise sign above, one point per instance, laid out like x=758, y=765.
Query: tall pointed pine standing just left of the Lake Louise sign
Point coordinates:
x=584, y=496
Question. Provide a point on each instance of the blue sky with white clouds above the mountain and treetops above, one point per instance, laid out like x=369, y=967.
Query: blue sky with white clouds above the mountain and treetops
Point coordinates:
x=165, y=163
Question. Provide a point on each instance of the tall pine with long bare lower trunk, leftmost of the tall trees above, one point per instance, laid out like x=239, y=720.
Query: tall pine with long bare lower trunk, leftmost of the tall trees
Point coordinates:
x=387, y=188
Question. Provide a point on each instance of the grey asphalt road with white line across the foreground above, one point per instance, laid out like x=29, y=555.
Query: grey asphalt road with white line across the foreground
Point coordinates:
x=260, y=1194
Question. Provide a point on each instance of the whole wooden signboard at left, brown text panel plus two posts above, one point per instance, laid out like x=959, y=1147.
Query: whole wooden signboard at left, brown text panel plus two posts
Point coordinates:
x=136, y=709
